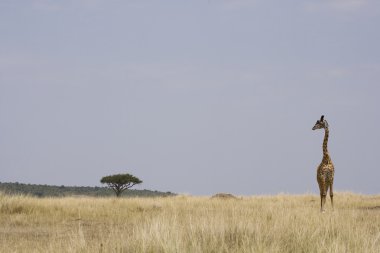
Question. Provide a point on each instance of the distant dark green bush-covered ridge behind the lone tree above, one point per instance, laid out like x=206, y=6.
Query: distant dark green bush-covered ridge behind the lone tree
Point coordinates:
x=64, y=191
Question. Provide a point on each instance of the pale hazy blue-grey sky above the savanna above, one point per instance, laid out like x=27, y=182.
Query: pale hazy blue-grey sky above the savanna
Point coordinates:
x=193, y=97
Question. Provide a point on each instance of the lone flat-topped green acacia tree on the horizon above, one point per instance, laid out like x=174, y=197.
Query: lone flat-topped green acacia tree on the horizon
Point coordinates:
x=120, y=182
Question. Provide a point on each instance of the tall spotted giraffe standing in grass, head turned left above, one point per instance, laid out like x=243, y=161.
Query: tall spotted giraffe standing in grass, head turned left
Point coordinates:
x=325, y=171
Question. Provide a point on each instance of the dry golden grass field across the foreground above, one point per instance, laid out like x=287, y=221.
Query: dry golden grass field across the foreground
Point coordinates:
x=280, y=223
